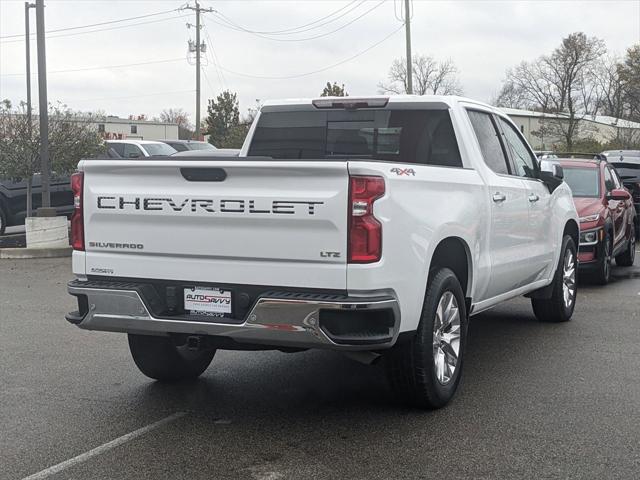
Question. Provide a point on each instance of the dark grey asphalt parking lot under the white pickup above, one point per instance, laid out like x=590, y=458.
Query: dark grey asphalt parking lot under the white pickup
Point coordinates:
x=536, y=401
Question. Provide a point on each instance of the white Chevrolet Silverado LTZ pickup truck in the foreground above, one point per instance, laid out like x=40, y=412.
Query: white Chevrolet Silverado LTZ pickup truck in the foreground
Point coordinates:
x=373, y=226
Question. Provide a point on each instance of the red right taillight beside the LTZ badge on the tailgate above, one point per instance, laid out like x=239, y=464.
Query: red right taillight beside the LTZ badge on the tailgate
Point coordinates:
x=365, y=231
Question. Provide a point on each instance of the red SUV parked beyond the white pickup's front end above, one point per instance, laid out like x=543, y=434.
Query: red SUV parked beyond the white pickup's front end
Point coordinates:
x=607, y=216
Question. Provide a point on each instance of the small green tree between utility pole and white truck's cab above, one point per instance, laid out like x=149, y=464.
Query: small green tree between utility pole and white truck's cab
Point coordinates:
x=223, y=124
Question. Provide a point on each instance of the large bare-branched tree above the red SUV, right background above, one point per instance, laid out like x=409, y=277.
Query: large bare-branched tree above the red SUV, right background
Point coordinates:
x=562, y=83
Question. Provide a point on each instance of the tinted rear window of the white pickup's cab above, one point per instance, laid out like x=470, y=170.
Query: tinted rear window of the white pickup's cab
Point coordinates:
x=406, y=136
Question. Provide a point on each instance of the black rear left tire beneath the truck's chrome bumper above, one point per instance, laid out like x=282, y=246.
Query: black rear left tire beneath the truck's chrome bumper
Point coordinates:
x=159, y=358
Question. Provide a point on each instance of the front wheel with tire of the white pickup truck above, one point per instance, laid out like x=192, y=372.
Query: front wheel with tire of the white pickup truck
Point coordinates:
x=556, y=309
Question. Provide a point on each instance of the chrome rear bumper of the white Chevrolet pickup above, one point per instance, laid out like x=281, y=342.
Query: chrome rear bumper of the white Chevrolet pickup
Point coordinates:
x=278, y=319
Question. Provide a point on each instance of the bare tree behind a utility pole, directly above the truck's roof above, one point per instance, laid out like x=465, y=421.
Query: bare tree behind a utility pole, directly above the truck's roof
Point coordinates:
x=430, y=77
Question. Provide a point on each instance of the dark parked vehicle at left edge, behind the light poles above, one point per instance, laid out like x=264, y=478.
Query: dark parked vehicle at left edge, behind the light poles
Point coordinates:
x=13, y=199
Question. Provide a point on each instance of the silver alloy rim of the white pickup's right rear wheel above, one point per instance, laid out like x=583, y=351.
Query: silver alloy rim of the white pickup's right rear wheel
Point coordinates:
x=446, y=337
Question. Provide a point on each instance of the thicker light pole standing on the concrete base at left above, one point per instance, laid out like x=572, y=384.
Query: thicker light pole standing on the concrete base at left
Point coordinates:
x=44, y=113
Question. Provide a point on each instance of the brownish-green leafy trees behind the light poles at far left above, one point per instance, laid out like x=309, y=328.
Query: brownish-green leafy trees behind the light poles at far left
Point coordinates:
x=72, y=136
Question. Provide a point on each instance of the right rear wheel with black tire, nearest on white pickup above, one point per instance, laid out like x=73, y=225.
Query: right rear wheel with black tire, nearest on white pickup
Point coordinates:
x=425, y=371
